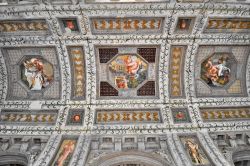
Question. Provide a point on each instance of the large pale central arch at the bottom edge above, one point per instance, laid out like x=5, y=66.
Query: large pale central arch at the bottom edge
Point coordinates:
x=131, y=158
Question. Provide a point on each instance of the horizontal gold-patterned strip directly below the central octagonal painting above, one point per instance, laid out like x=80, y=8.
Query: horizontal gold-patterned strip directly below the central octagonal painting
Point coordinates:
x=127, y=116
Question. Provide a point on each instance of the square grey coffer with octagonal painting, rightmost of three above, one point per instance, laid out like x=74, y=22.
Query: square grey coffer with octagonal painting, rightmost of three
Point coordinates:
x=220, y=70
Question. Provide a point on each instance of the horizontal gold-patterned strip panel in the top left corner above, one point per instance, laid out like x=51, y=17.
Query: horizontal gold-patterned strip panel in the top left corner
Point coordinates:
x=24, y=26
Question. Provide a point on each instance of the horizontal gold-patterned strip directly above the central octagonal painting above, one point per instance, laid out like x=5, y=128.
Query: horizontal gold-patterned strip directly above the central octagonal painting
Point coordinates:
x=126, y=25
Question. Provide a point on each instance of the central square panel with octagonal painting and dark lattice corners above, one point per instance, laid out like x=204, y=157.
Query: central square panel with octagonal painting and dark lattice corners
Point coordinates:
x=126, y=73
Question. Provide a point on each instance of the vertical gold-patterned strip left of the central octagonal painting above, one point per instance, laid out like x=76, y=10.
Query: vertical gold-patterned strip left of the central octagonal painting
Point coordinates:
x=78, y=79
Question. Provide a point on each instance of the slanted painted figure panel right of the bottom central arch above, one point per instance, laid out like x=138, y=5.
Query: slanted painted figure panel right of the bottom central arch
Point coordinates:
x=194, y=150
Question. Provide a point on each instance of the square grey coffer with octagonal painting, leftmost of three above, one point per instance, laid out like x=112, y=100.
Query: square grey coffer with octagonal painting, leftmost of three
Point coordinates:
x=33, y=73
